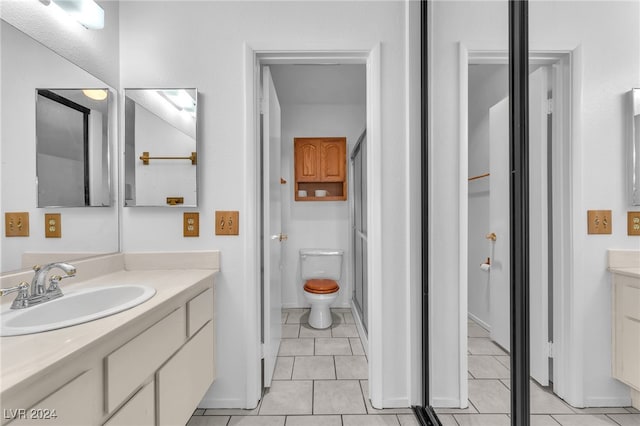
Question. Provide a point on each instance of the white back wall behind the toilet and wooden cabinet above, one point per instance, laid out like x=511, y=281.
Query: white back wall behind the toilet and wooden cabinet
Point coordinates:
x=316, y=224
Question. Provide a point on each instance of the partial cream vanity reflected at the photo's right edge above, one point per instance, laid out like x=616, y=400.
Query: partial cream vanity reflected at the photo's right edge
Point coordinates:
x=625, y=268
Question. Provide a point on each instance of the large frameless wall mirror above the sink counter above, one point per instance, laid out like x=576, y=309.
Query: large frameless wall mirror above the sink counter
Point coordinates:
x=37, y=173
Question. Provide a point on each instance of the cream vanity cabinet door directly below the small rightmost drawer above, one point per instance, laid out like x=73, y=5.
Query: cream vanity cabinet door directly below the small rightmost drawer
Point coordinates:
x=184, y=379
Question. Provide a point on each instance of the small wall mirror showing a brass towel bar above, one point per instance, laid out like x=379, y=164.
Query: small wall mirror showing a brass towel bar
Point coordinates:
x=161, y=154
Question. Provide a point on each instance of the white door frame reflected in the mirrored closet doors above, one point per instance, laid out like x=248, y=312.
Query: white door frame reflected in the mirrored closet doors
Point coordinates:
x=566, y=78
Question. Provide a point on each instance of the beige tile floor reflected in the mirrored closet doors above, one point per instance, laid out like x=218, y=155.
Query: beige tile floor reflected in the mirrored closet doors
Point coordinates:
x=489, y=395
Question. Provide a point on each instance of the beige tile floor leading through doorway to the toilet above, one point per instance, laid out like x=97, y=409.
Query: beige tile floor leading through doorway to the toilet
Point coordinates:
x=320, y=380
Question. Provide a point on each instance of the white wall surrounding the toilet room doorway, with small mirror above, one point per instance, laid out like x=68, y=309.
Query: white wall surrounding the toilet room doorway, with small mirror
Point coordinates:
x=202, y=45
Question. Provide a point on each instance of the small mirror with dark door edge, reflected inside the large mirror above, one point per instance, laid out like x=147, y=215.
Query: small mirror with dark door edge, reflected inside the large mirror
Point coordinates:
x=72, y=147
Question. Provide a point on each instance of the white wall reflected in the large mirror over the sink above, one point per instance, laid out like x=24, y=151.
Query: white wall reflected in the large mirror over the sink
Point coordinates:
x=27, y=65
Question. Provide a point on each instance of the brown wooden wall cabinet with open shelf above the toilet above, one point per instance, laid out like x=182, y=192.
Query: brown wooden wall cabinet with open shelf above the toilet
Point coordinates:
x=320, y=164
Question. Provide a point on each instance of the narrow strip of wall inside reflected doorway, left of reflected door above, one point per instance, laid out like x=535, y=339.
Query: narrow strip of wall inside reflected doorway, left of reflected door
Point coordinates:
x=488, y=84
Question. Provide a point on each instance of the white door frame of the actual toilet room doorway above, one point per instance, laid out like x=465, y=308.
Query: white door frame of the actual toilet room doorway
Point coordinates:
x=269, y=53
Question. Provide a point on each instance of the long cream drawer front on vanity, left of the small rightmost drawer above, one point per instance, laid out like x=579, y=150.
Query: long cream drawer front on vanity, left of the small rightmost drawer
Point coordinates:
x=131, y=364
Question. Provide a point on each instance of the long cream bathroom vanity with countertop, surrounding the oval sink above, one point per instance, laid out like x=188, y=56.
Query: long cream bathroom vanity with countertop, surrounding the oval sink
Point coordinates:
x=148, y=365
